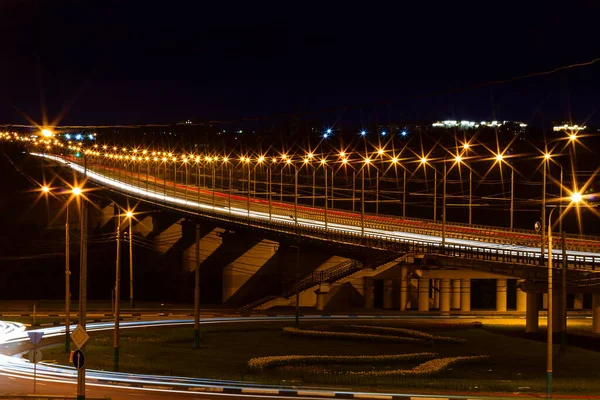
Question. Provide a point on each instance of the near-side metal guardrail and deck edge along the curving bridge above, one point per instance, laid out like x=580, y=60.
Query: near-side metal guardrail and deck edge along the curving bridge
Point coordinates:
x=382, y=242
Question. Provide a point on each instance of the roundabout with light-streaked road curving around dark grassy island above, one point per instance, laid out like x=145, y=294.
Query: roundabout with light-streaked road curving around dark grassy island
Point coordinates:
x=367, y=357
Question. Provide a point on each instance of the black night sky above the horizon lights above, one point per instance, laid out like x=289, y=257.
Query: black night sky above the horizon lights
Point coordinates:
x=164, y=61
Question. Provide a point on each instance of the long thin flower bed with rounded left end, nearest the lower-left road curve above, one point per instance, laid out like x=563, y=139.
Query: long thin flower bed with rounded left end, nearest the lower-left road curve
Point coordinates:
x=262, y=363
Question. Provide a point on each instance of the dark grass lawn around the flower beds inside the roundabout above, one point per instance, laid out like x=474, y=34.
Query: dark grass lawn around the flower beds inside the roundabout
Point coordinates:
x=515, y=364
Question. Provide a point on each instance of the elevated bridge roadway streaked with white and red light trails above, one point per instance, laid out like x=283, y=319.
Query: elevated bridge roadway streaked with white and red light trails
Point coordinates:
x=199, y=199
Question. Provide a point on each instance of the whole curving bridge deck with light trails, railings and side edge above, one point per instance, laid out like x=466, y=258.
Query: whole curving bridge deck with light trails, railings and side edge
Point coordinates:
x=235, y=201
